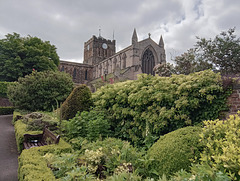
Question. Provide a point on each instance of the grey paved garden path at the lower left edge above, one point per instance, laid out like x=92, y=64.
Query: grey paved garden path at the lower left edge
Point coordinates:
x=8, y=150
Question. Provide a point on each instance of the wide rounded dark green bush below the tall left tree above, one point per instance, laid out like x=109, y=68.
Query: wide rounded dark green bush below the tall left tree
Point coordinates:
x=40, y=90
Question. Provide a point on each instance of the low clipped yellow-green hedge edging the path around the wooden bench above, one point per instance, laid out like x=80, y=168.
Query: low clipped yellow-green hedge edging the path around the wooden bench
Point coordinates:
x=32, y=165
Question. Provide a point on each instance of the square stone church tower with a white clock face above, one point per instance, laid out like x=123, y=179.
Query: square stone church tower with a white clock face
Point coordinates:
x=97, y=49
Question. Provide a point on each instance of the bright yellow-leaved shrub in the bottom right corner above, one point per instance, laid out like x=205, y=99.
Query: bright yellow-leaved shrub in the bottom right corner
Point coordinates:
x=222, y=140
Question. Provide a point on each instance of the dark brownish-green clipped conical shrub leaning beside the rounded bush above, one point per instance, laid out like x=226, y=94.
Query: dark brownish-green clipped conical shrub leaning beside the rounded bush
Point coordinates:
x=79, y=100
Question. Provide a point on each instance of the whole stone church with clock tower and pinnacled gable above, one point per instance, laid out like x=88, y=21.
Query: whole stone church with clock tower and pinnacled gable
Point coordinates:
x=101, y=59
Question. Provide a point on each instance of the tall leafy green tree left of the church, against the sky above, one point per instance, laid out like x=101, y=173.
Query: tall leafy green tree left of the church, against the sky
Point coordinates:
x=20, y=55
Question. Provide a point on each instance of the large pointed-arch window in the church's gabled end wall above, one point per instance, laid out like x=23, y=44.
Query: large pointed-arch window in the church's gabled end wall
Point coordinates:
x=148, y=62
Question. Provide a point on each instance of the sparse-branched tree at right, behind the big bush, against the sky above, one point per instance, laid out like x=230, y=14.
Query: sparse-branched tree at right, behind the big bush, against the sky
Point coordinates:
x=220, y=54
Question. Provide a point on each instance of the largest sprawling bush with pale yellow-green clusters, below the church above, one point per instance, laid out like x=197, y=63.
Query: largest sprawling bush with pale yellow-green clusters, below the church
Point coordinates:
x=151, y=106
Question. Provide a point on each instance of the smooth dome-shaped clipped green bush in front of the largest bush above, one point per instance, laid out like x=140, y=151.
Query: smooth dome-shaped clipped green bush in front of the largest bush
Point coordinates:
x=173, y=151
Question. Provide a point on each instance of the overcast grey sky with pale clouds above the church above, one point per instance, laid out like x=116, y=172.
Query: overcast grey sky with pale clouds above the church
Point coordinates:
x=69, y=23
